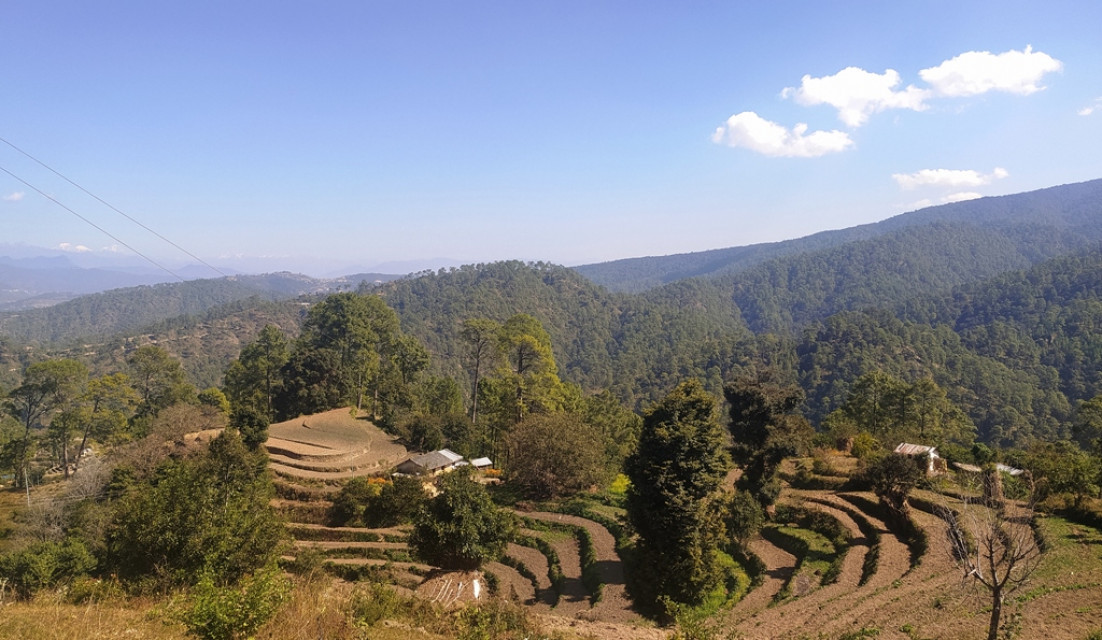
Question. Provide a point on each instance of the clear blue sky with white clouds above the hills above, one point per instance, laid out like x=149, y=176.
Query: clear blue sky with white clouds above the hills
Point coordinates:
x=340, y=136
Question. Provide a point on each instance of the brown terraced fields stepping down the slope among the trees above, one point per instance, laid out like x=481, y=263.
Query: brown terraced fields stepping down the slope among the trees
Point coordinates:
x=837, y=569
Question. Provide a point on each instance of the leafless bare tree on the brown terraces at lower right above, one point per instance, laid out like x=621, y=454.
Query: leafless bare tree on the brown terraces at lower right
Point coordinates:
x=993, y=544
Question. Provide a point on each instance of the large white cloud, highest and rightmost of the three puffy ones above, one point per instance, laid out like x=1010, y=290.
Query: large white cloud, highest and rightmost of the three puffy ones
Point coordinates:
x=979, y=72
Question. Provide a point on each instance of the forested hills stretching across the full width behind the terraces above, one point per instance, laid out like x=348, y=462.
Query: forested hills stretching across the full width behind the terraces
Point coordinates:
x=1012, y=342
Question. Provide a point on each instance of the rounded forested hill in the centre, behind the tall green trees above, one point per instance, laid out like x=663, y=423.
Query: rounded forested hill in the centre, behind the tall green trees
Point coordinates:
x=638, y=346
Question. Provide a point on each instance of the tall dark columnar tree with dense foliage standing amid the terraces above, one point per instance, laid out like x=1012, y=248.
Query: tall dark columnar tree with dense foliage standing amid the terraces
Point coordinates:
x=673, y=503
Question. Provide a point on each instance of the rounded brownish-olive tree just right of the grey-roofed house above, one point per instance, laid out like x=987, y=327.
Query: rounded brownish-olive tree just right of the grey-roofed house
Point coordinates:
x=557, y=454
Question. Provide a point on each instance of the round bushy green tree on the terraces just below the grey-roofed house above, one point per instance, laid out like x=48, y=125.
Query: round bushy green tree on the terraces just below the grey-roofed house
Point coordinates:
x=461, y=528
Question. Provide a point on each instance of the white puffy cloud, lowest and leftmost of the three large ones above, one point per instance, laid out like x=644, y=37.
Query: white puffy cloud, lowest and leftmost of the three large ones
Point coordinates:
x=752, y=132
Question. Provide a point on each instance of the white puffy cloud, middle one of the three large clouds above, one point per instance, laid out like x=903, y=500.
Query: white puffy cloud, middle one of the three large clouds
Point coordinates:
x=858, y=94
